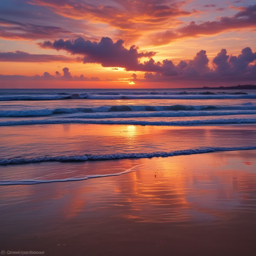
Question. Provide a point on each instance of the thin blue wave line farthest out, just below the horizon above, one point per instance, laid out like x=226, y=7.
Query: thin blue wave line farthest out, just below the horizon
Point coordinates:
x=118, y=96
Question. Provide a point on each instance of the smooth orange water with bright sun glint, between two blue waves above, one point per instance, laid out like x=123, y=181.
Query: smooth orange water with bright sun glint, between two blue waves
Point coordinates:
x=79, y=139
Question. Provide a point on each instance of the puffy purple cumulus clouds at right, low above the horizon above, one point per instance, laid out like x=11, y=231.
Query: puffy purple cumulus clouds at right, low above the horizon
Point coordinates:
x=225, y=67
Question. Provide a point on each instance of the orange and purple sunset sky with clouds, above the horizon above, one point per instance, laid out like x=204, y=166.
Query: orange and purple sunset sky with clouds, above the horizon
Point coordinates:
x=126, y=43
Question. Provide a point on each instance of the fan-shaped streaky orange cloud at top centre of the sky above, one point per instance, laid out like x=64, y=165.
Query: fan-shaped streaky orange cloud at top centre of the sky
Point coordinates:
x=132, y=19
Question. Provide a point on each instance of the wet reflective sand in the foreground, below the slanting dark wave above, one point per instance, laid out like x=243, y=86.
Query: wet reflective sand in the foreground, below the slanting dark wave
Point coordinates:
x=185, y=205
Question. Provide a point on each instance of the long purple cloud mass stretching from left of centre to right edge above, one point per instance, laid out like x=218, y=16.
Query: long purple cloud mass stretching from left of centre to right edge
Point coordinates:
x=110, y=54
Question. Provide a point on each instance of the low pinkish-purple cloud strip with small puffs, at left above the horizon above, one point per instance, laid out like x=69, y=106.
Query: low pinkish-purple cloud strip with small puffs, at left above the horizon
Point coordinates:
x=48, y=77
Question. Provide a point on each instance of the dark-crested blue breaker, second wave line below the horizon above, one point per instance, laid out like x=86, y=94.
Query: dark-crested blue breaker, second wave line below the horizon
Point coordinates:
x=126, y=111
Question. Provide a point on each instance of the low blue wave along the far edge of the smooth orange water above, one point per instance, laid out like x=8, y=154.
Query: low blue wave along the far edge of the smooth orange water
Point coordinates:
x=132, y=122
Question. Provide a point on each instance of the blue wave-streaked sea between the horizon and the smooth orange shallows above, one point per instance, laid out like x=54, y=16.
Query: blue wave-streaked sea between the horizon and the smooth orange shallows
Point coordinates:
x=30, y=106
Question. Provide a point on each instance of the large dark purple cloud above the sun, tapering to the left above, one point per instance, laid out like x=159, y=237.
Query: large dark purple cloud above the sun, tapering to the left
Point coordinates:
x=106, y=52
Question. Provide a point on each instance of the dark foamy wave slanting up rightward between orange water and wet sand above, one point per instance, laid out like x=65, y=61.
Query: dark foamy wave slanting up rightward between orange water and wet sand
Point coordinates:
x=85, y=158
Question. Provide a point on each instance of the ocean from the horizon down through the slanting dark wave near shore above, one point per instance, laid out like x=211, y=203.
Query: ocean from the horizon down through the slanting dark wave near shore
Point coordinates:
x=64, y=125
